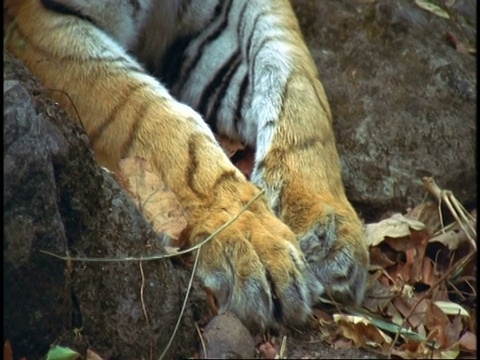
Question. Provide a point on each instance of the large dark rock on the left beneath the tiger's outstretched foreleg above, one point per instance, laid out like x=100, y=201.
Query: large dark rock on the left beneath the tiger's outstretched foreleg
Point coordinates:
x=57, y=199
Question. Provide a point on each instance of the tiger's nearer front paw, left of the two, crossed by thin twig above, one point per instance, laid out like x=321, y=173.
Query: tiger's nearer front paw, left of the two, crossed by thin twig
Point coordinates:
x=254, y=268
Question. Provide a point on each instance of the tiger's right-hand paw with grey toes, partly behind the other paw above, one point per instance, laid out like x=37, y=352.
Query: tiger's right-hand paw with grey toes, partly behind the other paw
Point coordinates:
x=331, y=237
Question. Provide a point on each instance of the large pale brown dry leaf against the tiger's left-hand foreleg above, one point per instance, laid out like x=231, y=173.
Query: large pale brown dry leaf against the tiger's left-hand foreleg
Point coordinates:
x=158, y=204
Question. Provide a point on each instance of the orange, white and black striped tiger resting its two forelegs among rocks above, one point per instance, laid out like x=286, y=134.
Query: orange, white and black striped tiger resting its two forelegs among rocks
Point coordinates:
x=157, y=79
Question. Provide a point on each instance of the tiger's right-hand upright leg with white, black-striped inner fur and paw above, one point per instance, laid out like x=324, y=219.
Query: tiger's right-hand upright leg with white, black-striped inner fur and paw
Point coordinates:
x=264, y=89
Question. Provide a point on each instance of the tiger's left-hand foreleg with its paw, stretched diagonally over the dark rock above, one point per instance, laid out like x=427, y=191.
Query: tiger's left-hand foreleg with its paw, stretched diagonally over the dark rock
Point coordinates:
x=254, y=267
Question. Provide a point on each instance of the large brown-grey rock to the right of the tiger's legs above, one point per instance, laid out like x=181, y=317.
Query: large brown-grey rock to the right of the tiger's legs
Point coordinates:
x=403, y=99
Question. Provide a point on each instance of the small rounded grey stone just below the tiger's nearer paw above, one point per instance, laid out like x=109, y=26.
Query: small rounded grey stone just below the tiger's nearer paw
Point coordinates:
x=226, y=337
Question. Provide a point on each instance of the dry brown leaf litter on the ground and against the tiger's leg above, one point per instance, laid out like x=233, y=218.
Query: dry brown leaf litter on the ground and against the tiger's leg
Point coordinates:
x=421, y=294
